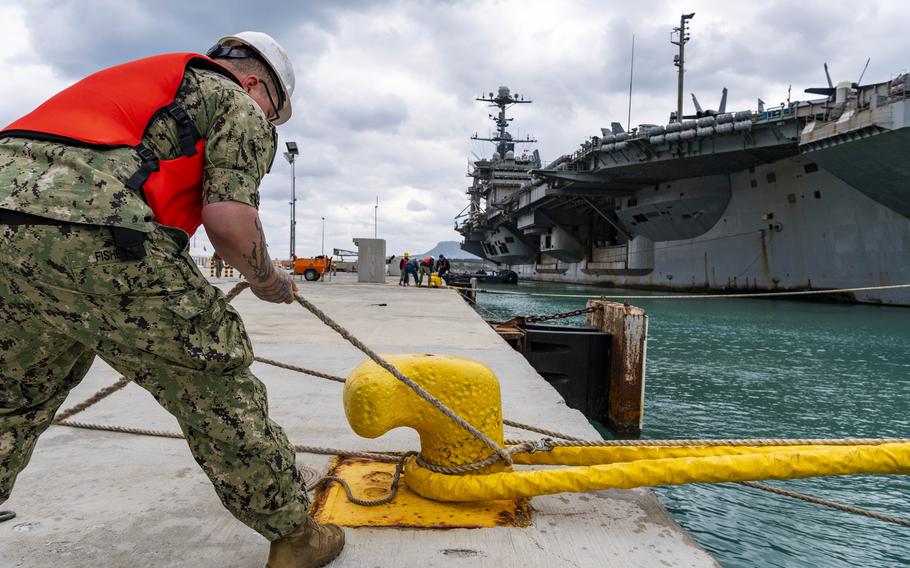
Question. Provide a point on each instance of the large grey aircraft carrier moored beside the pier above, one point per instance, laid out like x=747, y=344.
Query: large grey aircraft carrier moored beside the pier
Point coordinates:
x=808, y=195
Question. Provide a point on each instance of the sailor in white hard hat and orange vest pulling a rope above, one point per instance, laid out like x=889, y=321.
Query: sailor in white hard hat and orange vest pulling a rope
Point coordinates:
x=98, y=195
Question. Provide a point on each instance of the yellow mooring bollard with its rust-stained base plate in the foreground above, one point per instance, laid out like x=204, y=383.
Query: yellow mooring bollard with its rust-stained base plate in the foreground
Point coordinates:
x=376, y=402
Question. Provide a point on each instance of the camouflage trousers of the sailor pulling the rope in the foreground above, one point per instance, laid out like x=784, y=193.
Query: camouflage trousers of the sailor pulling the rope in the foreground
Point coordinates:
x=66, y=296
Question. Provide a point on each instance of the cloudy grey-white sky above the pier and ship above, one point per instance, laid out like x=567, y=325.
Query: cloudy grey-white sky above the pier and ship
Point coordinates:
x=385, y=105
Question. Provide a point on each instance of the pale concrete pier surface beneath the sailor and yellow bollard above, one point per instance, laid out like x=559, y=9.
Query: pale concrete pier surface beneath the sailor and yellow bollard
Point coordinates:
x=93, y=498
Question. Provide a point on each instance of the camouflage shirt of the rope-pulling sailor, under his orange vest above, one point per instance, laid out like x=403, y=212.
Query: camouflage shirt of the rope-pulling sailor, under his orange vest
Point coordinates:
x=83, y=185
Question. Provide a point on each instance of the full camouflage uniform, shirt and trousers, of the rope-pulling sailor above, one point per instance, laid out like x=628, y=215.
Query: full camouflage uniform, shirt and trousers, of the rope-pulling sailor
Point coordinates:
x=66, y=296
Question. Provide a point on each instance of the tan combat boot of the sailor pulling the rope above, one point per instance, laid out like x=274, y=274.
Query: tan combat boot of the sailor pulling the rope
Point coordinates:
x=311, y=545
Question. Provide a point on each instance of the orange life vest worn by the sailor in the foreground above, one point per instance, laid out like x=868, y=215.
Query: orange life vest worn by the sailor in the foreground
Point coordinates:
x=113, y=108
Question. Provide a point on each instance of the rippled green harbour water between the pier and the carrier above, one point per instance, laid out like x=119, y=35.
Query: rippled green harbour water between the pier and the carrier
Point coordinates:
x=770, y=368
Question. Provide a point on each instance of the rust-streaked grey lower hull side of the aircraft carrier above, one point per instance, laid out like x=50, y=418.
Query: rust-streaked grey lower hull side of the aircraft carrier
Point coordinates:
x=822, y=234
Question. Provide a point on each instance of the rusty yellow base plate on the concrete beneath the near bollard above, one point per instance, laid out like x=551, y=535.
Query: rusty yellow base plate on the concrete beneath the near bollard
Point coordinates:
x=370, y=480
